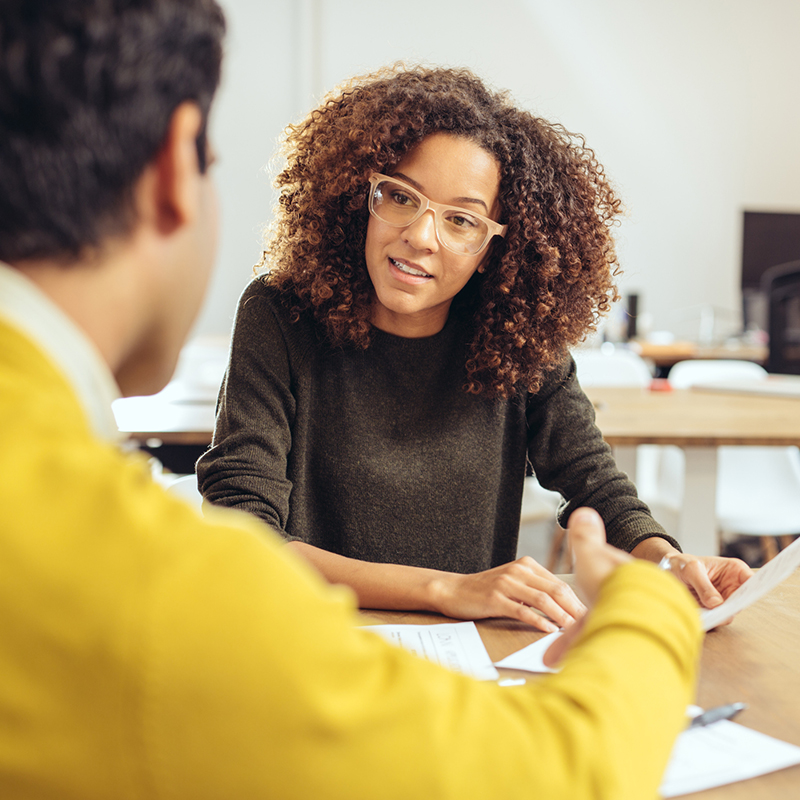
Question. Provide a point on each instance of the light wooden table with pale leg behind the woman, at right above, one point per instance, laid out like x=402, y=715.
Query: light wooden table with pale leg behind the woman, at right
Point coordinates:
x=698, y=422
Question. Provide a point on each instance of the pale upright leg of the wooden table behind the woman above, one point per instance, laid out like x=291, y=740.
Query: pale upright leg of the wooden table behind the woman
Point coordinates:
x=697, y=528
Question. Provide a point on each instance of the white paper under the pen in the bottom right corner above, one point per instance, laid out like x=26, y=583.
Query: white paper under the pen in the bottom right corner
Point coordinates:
x=722, y=753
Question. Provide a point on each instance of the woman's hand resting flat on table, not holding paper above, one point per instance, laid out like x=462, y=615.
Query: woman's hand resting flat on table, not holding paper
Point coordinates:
x=522, y=589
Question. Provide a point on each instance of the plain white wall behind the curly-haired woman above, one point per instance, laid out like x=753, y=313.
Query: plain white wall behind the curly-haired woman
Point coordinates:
x=691, y=105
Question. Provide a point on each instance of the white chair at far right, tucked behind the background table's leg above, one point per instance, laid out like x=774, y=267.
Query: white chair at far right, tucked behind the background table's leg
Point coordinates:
x=758, y=488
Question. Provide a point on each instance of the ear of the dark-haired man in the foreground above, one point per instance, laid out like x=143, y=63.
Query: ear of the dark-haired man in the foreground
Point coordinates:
x=170, y=181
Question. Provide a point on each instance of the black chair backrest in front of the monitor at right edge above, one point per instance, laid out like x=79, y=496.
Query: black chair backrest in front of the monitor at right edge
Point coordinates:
x=781, y=286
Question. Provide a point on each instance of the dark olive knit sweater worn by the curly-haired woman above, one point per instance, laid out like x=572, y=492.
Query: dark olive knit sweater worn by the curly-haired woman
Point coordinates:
x=380, y=455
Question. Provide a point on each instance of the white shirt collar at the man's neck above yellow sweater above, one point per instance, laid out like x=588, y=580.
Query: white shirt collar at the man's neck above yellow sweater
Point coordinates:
x=25, y=306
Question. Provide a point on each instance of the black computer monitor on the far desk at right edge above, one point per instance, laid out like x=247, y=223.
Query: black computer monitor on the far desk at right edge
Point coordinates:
x=769, y=238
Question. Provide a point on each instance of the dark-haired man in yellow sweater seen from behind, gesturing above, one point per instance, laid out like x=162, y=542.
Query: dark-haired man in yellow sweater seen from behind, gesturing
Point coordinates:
x=148, y=652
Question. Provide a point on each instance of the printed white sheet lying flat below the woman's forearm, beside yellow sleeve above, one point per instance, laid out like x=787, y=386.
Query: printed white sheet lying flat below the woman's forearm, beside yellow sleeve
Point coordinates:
x=455, y=645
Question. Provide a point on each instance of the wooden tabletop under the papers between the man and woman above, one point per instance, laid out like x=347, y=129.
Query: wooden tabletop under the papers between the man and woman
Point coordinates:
x=756, y=660
